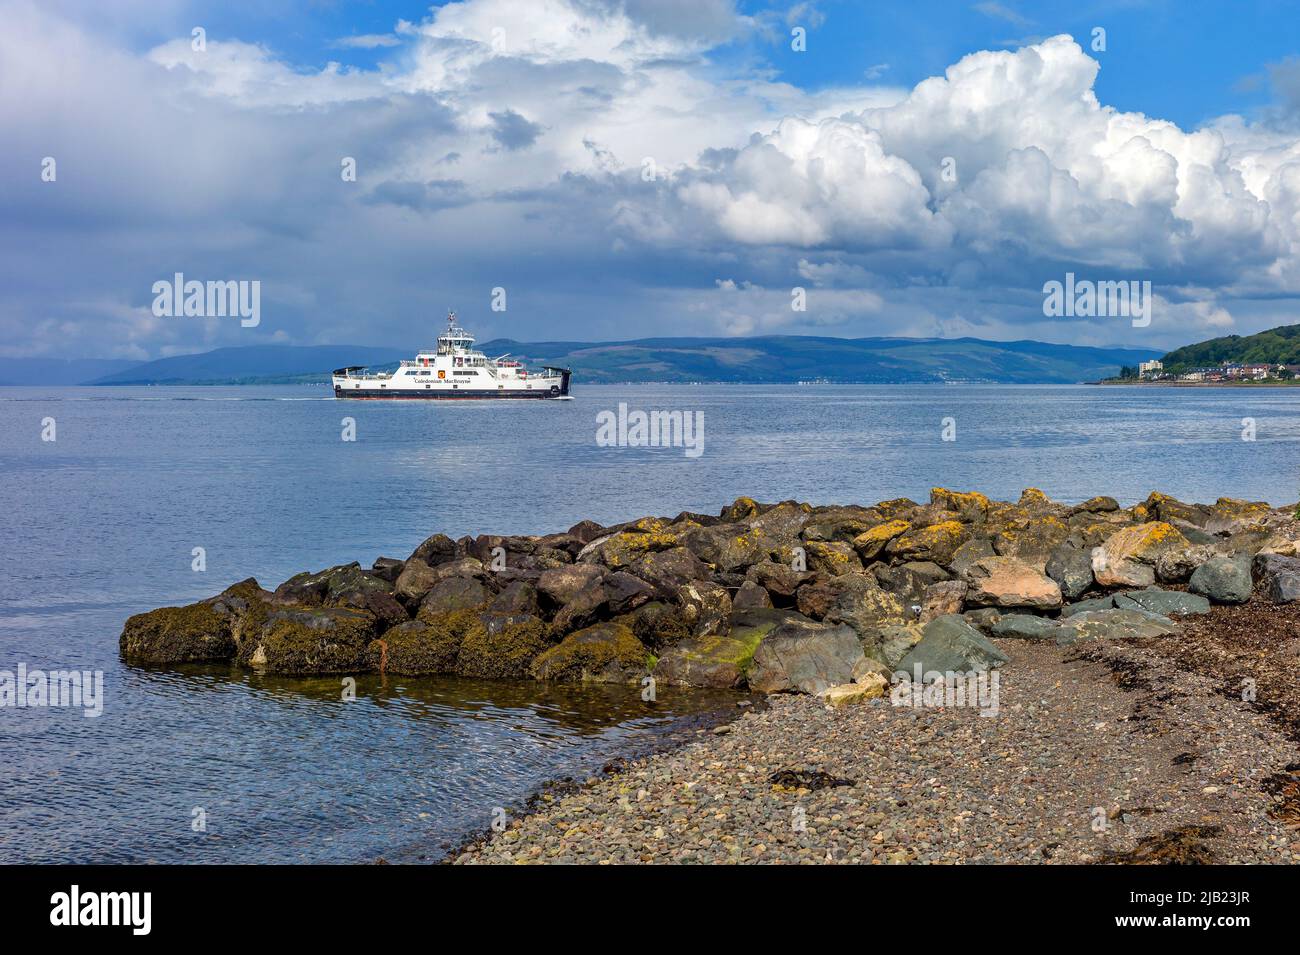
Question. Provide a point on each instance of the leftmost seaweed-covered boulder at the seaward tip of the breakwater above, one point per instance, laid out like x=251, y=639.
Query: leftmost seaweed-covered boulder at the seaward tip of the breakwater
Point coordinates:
x=197, y=633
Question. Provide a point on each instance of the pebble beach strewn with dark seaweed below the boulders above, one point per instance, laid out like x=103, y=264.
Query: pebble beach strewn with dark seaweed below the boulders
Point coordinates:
x=1147, y=762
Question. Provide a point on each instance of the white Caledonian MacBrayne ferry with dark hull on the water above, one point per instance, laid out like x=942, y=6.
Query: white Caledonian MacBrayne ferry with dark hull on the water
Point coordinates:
x=454, y=370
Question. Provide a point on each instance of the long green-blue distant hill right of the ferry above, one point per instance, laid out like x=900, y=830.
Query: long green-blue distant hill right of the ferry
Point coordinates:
x=804, y=358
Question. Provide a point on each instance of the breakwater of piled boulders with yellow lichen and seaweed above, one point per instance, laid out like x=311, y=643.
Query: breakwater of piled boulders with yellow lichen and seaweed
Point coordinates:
x=787, y=597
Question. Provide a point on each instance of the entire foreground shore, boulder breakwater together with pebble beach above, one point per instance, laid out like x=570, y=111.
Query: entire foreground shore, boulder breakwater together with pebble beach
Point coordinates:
x=934, y=650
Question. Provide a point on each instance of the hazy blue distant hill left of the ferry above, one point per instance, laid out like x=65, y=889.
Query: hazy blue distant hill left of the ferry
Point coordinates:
x=255, y=364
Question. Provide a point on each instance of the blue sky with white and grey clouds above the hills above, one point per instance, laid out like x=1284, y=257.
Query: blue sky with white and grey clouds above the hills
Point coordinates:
x=618, y=170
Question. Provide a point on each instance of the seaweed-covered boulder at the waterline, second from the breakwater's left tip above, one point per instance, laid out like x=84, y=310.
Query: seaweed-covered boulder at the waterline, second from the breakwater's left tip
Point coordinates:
x=310, y=640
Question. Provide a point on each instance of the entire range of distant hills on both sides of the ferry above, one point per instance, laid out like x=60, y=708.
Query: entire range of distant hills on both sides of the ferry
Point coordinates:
x=772, y=359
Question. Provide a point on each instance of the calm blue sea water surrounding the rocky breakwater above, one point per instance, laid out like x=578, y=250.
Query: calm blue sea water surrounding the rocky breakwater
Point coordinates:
x=101, y=524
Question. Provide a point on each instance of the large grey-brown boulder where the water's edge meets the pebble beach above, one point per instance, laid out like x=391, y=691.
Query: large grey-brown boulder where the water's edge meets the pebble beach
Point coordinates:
x=801, y=658
